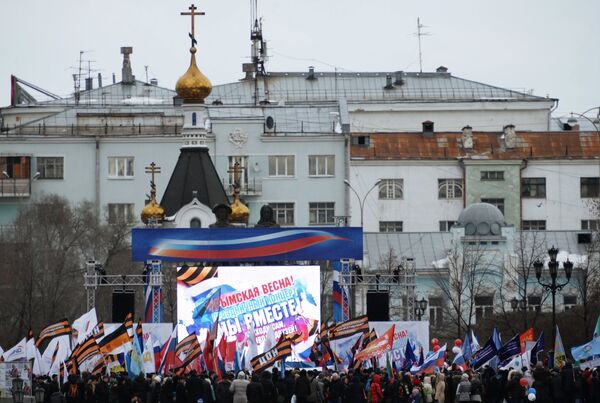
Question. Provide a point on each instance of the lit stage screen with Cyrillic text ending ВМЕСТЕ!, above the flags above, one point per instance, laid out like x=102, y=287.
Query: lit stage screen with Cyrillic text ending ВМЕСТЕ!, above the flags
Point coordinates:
x=284, y=298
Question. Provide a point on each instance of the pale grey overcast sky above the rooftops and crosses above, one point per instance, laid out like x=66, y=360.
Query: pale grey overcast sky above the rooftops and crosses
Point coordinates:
x=548, y=46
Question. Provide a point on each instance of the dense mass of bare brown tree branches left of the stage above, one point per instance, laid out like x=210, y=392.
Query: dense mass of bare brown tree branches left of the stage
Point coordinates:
x=43, y=259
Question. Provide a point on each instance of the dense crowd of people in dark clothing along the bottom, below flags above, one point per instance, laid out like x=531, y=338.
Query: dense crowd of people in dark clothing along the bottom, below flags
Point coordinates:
x=450, y=385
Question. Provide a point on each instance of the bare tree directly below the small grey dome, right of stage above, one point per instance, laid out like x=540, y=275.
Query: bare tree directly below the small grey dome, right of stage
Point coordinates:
x=471, y=272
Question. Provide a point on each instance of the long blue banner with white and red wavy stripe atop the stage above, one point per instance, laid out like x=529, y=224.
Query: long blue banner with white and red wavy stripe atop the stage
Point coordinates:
x=247, y=244
